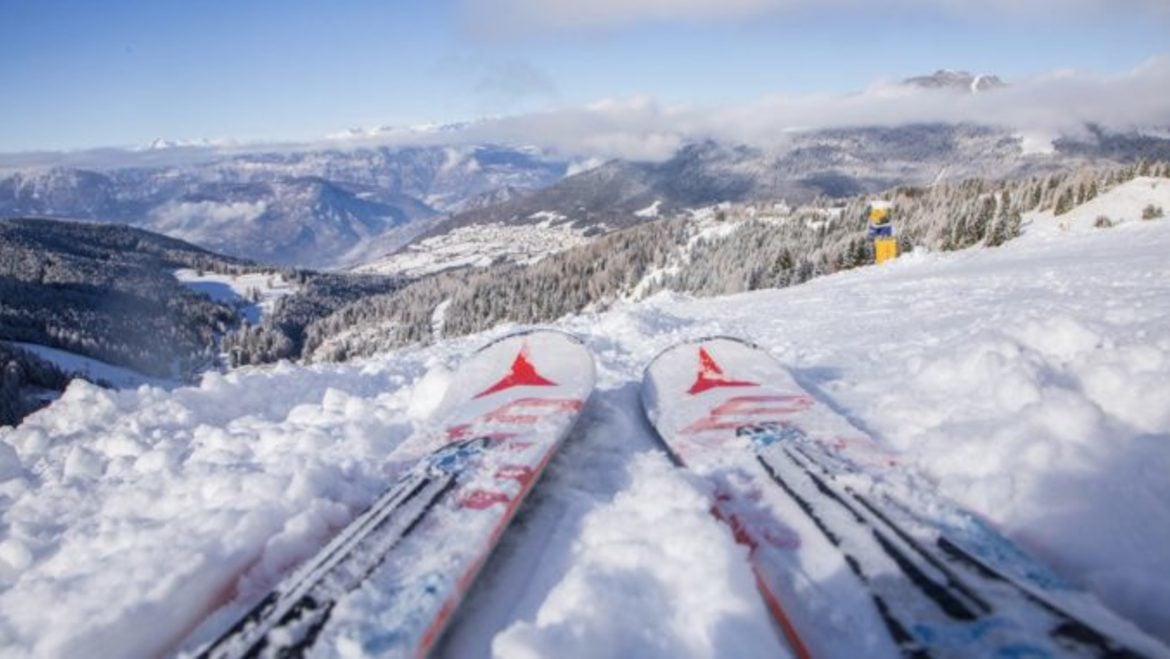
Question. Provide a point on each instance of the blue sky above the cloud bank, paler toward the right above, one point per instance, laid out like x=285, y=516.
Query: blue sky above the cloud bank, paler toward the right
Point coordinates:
x=122, y=73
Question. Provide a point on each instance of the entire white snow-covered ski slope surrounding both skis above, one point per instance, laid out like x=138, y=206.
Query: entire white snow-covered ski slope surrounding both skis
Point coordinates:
x=1030, y=382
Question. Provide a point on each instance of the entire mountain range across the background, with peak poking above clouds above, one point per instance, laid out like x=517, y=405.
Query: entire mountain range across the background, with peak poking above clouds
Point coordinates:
x=366, y=205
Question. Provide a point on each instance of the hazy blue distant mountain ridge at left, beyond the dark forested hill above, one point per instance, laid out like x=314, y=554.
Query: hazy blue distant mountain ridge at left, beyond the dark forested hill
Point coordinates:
x=307, y=209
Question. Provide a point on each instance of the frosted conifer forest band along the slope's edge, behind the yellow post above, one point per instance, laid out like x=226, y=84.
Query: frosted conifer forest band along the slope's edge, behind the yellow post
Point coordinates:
x=721, y=250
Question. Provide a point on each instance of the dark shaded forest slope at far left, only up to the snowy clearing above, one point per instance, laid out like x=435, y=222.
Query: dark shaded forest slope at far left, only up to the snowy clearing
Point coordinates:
x=108, y=293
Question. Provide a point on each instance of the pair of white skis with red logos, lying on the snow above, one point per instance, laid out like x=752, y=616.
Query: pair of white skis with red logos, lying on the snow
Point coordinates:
x=852, y=554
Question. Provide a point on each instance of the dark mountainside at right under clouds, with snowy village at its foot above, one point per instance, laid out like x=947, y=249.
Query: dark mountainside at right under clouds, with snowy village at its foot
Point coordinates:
x=799, y=169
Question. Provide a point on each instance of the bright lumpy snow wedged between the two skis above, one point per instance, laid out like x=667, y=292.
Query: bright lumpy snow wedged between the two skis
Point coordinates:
x=652, y=575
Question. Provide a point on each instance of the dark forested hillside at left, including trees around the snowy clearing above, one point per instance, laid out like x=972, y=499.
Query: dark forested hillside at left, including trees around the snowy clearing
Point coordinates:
x=111, y=293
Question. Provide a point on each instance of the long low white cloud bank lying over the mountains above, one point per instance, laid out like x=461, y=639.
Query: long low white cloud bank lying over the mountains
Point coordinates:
x=642, y=129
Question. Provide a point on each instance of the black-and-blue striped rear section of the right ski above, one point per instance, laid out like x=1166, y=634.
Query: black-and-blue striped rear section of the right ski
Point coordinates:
x=944, y=589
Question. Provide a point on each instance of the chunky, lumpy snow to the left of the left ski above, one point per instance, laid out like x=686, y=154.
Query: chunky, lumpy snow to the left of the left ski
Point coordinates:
x=133, y=516
